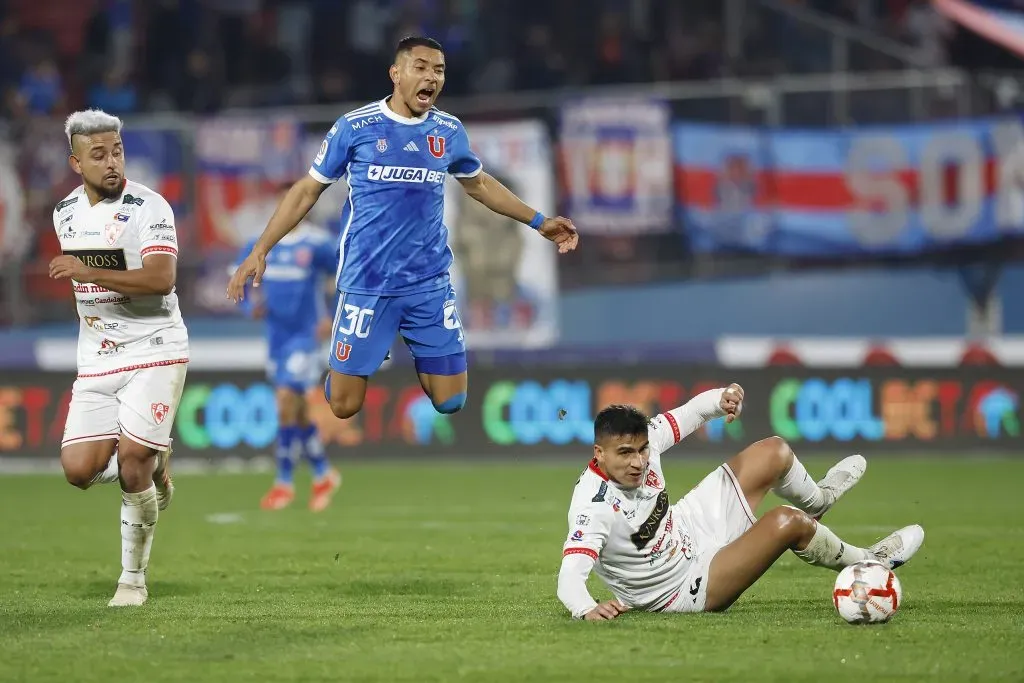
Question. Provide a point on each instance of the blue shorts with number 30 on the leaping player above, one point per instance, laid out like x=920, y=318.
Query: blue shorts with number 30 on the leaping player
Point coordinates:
x=366, y=326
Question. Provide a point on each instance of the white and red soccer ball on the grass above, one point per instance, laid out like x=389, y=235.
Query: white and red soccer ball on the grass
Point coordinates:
x=868, y=593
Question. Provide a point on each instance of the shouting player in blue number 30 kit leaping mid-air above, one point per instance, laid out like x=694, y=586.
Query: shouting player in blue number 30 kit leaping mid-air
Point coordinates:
x=394, y=273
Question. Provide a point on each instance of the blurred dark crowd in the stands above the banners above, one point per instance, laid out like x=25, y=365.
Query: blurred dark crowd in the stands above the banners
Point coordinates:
x=129, y=57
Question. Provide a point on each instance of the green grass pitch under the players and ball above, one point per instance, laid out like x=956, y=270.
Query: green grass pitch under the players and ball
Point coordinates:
x=446, y=572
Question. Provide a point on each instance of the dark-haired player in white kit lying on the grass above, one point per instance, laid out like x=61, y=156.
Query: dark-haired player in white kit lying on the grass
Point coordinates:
x=701, y=553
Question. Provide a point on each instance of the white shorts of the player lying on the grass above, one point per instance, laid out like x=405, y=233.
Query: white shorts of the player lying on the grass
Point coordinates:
x=715, y=514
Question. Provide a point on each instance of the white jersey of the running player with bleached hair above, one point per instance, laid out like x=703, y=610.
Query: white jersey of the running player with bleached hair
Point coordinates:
x=119, y=332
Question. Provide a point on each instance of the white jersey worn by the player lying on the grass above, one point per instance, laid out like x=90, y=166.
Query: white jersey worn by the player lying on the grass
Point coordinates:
x=635, y=536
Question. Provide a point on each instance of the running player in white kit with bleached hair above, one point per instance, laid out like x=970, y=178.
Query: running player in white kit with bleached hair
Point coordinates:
x=120, y=252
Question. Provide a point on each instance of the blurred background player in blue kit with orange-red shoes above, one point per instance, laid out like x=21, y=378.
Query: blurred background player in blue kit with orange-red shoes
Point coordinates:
x=291, y=303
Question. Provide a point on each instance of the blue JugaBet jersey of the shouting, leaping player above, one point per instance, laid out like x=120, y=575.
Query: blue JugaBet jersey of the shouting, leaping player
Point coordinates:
x=394, y=239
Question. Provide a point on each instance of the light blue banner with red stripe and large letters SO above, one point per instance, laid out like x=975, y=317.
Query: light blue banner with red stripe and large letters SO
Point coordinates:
x=901, y=190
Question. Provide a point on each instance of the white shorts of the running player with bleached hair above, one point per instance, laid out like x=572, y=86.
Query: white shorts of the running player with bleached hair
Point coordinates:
x=140, y=404
